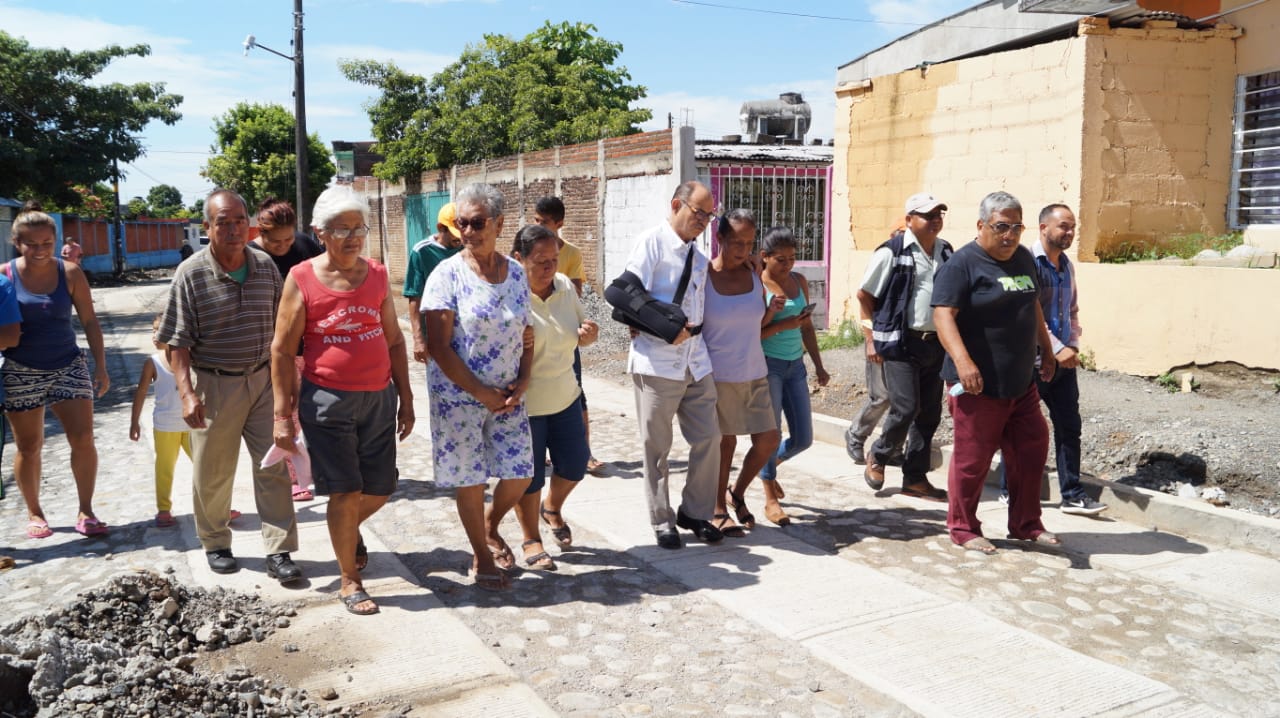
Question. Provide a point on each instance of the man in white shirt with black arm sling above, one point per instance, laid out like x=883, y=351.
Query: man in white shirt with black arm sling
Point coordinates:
x=676, y=379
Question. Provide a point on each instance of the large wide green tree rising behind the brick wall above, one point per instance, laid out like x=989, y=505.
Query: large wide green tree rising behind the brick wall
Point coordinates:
x=557, y=86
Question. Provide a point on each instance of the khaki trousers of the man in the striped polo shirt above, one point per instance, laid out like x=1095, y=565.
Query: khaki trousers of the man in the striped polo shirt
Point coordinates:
x=239, y=409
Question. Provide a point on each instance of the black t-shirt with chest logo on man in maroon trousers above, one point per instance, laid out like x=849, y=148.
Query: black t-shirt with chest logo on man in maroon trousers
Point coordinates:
x=996, y=319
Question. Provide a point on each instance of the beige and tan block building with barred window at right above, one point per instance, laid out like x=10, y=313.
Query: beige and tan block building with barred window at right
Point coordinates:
x=1146, y=124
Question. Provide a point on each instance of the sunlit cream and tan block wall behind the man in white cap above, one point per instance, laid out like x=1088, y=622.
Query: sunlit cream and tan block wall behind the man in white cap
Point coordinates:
x=1009, y=121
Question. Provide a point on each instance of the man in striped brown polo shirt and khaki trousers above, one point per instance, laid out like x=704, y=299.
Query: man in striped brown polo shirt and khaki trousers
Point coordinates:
x=220, y=322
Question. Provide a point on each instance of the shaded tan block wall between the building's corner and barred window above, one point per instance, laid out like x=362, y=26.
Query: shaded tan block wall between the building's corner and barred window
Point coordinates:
x=1158, y=134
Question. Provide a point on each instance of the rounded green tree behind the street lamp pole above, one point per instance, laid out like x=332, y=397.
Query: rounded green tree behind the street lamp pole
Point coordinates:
x=255, y=156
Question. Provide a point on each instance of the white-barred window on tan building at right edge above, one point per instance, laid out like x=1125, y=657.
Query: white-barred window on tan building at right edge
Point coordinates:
x=1256, y=166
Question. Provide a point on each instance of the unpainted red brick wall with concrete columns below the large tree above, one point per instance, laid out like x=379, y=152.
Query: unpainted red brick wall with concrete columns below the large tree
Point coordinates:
x=575, y=173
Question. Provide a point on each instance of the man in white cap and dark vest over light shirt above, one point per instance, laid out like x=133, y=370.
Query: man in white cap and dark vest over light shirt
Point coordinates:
x=897, y=294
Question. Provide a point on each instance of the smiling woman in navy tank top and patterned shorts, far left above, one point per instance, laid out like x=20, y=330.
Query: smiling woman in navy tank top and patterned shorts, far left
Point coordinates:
x=49, y=369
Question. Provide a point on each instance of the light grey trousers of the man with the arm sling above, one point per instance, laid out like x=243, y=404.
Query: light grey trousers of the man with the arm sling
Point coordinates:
x=659, y=401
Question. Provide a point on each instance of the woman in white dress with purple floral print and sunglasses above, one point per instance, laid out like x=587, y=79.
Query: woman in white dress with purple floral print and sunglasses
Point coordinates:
x=481, y=340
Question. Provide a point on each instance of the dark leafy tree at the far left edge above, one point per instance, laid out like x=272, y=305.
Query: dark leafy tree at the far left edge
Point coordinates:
x=60, y=127
